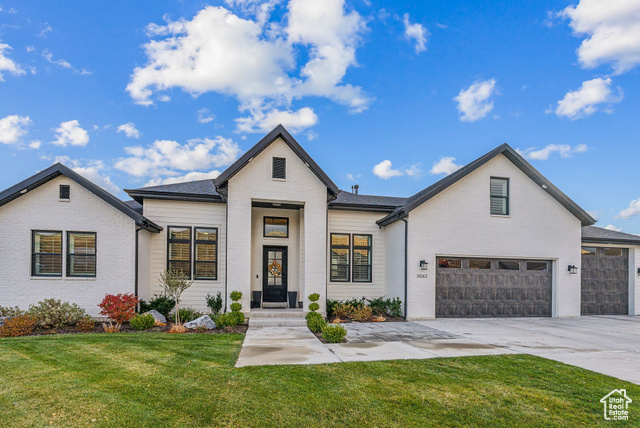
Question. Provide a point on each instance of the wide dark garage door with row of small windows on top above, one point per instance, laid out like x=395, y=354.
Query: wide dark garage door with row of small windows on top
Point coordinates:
x=493, y=288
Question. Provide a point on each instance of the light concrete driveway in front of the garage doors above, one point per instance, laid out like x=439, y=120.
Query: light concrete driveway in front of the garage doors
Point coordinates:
x=604, y=344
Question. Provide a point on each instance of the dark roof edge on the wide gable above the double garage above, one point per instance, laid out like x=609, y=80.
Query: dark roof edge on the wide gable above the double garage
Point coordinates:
x=506, y=150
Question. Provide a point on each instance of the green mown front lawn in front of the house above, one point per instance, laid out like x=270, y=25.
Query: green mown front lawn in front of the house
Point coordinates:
x=189, y=380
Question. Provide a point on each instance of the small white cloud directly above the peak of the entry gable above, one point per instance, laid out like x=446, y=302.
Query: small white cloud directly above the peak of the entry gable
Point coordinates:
x=260, y=121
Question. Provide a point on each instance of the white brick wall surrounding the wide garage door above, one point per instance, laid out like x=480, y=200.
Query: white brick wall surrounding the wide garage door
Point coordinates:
x=457, y=223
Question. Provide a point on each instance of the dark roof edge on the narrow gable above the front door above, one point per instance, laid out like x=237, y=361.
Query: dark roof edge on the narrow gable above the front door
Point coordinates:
x=279, y=131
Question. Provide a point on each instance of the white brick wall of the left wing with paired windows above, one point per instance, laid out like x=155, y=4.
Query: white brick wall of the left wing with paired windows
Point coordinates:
x=41, y=209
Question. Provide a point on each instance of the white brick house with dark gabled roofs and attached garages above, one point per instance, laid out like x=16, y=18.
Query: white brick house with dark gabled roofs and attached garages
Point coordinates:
x=493, y=239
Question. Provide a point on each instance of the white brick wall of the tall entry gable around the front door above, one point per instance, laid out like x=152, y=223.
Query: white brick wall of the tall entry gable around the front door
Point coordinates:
x=254, y=182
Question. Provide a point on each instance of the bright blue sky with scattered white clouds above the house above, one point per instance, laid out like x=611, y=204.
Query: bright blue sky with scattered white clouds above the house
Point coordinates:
x=389, y=95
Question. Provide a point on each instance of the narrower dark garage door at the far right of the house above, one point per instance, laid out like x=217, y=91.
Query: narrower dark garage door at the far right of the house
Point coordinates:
x=605, y=281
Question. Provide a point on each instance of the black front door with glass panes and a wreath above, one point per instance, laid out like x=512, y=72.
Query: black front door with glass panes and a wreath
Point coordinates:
x=274, y=274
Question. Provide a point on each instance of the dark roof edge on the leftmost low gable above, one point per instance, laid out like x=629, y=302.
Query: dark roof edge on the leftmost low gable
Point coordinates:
x=46, y=175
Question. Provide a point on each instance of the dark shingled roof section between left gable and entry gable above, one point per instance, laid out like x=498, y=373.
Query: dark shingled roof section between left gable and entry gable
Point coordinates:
x=198, y=191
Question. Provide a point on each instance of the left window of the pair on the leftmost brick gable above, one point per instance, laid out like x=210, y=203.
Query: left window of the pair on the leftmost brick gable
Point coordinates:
x=46, y=253
